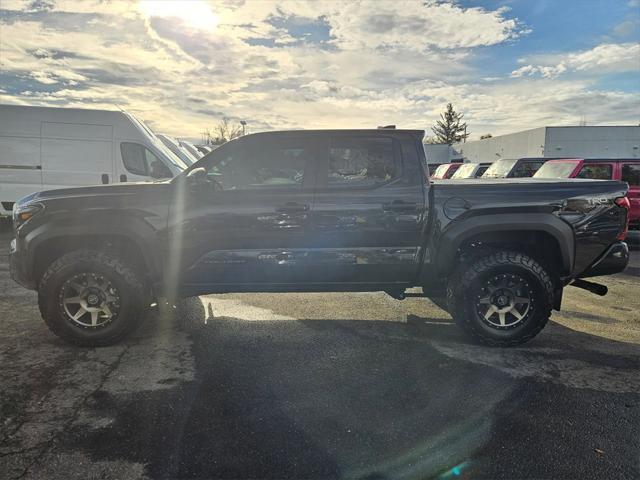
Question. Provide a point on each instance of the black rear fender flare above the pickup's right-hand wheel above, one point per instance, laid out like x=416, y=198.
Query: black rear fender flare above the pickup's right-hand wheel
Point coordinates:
x=459, y=231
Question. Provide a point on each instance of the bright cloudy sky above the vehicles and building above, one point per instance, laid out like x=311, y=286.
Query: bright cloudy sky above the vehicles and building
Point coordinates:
x=182, y=66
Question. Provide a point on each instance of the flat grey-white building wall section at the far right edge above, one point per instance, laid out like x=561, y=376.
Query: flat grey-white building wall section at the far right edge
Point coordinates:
x=593, y=142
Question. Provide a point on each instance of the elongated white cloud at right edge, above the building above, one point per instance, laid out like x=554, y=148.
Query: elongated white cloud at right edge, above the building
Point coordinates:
x=604, y=58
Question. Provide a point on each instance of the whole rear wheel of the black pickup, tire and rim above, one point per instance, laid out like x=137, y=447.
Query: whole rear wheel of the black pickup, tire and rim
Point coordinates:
x=503, y=299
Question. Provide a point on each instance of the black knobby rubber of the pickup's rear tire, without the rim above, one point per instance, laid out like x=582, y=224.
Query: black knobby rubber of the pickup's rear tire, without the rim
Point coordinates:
x=464, y=286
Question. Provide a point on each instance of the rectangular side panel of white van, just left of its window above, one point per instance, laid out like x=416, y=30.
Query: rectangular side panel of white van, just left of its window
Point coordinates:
x=76, y=154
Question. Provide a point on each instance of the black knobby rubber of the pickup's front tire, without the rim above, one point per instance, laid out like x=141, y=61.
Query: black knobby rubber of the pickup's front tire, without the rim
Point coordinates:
x=134, y=297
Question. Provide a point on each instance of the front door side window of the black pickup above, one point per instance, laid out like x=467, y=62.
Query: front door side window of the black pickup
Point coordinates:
x=266, y=165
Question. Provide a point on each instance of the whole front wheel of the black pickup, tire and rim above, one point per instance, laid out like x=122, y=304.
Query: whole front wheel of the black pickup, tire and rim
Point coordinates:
x=90, y=298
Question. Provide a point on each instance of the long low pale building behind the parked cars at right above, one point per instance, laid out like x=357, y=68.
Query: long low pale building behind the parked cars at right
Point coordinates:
x=547, y=142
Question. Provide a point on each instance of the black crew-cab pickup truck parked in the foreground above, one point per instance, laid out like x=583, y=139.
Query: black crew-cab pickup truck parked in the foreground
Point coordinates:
x=313, y=211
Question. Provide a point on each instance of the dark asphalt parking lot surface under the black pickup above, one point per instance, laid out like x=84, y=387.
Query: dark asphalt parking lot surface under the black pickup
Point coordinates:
x=323, y=386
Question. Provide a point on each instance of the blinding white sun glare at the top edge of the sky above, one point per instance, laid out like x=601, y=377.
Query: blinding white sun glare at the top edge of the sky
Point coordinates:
x=193, y=13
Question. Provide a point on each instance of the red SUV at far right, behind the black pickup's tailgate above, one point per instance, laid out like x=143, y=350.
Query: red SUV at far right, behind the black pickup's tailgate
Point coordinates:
x=625, y=169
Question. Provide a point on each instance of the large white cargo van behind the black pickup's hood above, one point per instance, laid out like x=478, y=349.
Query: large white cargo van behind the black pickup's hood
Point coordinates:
x=43, y=148
